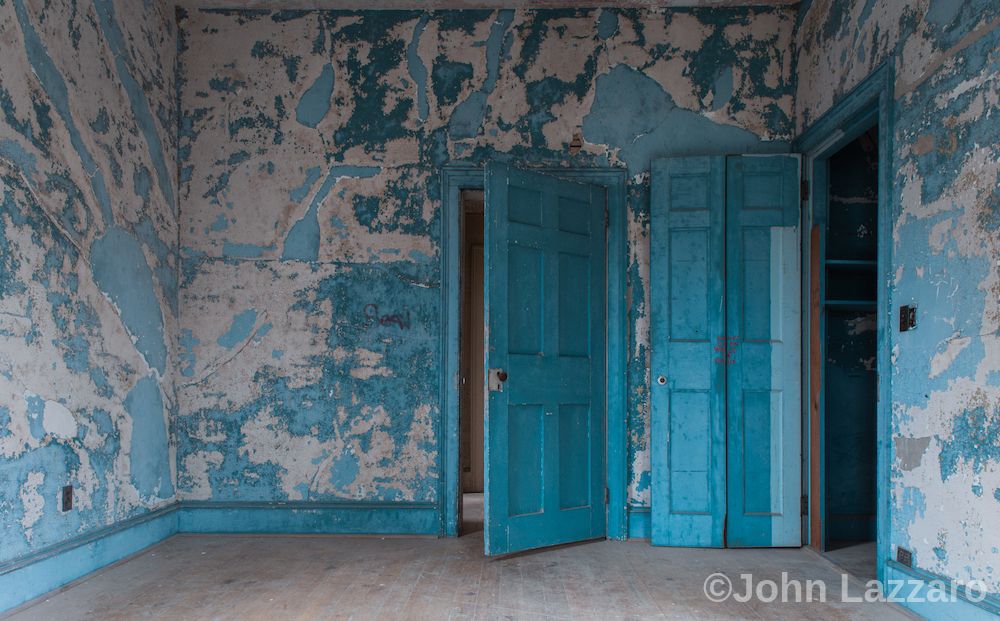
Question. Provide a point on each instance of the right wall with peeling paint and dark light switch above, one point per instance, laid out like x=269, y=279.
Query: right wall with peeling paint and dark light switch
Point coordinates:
x=945, y=255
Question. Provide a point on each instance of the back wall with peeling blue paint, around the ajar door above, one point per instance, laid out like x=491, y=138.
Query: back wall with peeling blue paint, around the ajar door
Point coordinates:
x=311, y=144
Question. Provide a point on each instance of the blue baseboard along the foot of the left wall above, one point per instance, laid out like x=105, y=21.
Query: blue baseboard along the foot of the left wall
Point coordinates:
x=36, y=574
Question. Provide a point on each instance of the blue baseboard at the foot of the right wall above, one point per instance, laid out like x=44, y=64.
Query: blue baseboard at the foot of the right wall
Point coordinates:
x=964, y=606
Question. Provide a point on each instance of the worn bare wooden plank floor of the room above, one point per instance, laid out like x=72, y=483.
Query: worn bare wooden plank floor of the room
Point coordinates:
x=253, y=577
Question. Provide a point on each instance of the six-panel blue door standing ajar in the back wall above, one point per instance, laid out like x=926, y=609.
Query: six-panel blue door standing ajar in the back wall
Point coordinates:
x=545, y=407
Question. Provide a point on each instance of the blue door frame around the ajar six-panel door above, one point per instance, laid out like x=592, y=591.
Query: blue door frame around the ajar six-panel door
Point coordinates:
x=455, y=178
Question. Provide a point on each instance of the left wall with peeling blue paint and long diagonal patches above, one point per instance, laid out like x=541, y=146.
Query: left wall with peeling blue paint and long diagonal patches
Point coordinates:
x=88, y=265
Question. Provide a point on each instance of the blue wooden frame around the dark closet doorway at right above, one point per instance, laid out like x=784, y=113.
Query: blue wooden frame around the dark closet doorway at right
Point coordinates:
x=870, y=102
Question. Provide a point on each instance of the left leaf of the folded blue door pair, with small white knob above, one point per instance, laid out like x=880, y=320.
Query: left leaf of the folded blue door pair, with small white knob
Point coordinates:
x=687, y=319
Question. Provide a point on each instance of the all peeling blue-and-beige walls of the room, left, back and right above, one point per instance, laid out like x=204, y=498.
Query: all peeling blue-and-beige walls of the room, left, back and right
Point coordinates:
x=304, y=253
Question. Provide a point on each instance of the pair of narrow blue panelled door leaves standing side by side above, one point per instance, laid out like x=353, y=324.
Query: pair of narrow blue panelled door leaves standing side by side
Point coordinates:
x=724, y=329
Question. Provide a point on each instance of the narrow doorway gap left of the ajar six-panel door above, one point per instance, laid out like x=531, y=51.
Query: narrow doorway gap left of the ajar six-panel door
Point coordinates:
x=471, y=362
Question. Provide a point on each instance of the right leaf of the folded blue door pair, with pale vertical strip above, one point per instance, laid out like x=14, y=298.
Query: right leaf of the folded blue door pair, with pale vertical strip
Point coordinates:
x=763, y=326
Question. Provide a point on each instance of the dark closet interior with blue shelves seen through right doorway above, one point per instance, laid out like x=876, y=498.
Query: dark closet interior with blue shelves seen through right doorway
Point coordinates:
x=847, y=355
